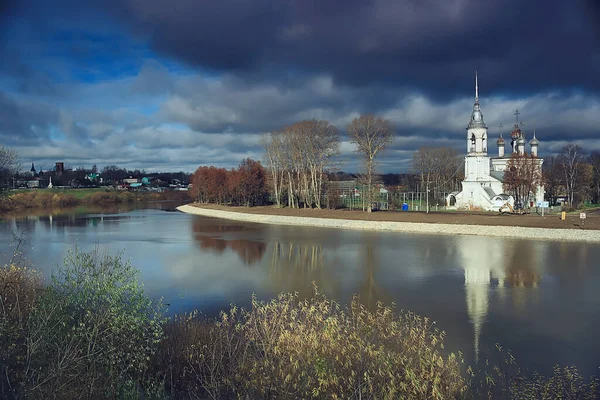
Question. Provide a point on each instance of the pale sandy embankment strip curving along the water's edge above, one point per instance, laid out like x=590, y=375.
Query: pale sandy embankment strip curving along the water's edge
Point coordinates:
x=409, y=227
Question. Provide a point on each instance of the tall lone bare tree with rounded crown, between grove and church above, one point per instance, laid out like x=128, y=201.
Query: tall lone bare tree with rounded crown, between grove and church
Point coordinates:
x=372, y=135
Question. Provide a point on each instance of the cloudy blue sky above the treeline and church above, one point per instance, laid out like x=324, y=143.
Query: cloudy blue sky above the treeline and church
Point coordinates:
x=172, y=85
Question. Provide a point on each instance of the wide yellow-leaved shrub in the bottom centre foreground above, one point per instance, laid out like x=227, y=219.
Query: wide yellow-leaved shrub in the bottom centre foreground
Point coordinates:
x=314, y=348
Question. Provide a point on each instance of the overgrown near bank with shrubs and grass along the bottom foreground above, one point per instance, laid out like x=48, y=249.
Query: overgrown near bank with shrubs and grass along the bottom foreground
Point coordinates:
x=91, y=332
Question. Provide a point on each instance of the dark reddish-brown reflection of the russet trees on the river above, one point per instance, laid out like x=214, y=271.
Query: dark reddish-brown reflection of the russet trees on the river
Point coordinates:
x=209, y=235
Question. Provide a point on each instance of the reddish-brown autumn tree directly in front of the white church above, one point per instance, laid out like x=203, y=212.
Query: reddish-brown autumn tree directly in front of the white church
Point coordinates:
x=522, y=177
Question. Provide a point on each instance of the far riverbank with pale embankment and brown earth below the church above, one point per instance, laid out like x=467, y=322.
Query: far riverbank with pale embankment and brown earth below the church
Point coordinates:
x=515, y=226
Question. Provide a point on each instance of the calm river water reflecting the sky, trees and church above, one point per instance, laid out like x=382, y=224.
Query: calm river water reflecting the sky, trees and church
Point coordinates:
x=540, y=299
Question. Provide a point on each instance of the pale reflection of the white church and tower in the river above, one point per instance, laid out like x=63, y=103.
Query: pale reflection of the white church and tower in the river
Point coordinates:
x=496, y=267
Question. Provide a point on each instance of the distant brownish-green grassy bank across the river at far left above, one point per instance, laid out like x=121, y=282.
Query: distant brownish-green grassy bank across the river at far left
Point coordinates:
x=58, y=198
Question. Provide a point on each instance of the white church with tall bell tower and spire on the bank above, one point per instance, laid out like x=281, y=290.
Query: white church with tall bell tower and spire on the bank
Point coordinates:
x=484, y=175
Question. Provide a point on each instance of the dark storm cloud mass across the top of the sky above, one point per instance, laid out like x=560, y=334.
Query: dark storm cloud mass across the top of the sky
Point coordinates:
x=431, y=45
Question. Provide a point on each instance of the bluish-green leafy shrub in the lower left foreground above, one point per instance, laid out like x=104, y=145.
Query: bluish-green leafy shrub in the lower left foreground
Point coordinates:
x=93, y=332
